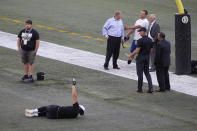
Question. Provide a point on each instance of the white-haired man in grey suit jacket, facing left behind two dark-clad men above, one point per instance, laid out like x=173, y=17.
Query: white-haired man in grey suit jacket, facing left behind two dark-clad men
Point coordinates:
x=153, y=31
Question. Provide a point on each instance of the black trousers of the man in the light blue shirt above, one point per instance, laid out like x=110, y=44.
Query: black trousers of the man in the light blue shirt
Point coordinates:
x=113, y=48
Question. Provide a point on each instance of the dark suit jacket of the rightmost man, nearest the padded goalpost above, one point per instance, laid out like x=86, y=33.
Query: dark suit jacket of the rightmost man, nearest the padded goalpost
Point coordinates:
x=163, y=51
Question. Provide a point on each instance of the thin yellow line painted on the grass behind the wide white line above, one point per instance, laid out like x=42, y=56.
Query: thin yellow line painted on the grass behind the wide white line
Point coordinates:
x=57, y=30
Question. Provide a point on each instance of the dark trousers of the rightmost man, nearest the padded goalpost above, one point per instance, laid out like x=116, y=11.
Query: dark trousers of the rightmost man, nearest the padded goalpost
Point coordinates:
x=163, y=77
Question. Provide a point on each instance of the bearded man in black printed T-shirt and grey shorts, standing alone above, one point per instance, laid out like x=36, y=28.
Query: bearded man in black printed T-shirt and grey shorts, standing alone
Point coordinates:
x=28, y=44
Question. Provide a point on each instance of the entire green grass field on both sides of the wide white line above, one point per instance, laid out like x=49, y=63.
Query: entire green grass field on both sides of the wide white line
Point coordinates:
x=111, y=101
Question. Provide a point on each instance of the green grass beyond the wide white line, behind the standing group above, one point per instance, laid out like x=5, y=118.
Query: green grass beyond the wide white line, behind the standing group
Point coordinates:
x=88, y=16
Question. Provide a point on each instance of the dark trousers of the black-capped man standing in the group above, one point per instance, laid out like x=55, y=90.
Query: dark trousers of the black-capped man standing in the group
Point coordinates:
x=142, y=65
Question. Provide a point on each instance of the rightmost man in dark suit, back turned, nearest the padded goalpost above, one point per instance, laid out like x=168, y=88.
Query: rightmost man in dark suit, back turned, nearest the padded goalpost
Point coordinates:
x=162, y=62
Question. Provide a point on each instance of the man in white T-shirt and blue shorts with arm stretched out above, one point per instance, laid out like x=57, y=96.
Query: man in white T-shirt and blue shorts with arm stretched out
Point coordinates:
x=142, y=22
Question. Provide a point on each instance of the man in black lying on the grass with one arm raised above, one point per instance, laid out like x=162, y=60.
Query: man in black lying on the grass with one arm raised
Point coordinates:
x=59, y=112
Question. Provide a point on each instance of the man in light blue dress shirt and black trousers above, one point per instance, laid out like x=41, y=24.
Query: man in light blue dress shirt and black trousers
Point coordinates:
x=113, y=31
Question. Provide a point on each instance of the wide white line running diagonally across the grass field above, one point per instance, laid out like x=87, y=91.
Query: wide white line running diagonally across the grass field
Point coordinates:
x=185, y=84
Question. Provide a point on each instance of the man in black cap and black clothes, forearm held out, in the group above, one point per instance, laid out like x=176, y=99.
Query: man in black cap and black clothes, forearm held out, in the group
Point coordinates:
x=143, y=49
